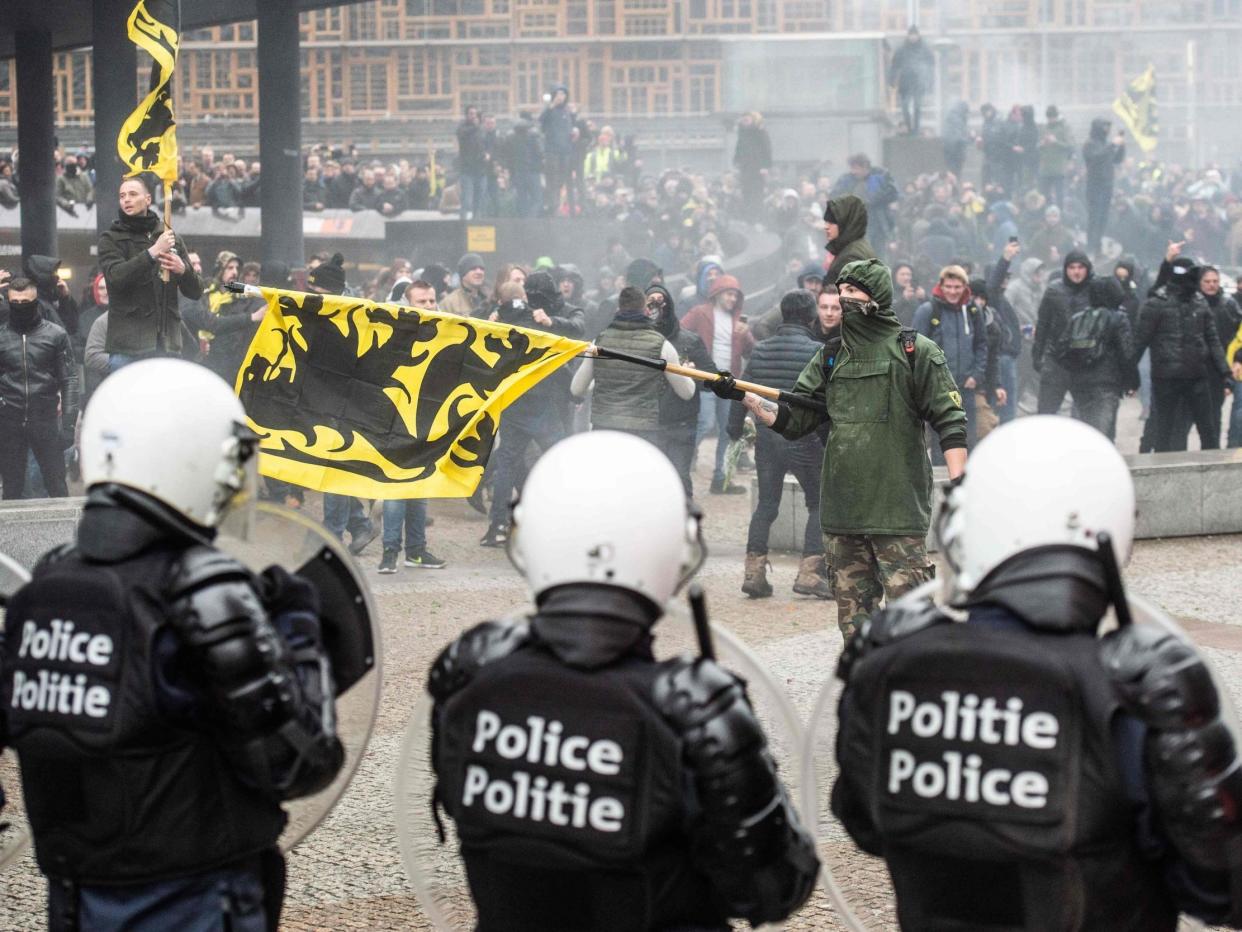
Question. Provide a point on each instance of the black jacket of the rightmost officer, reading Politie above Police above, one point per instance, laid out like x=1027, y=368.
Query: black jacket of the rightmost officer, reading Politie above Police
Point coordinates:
x=987, y=764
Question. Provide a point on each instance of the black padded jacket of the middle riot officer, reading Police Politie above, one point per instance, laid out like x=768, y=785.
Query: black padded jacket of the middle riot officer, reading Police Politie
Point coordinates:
x=572, y=787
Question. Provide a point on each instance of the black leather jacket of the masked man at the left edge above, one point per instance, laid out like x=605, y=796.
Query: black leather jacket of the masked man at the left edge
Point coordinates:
x=38, y=373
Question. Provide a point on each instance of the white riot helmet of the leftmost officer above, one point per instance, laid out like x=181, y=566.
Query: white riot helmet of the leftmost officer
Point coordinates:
x=173, y=431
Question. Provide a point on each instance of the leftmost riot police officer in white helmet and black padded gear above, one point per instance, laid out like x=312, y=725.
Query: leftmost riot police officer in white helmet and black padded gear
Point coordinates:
x=162, y=699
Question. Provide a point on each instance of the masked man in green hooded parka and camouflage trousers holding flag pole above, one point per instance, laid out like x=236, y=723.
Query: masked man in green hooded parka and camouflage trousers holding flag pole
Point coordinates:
x=876, y=392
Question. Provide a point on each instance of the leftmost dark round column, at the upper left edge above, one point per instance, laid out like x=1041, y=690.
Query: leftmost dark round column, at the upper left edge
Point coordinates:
x=37, y=144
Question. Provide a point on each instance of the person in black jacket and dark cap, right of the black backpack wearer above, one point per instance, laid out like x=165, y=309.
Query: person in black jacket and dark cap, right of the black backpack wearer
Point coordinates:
x=1187, y=354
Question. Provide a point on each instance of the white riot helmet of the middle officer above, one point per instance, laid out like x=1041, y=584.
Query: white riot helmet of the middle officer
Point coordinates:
x=609, y=509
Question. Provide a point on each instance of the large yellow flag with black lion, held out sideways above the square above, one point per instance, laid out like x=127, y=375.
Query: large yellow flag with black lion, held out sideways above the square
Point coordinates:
x=382, y=401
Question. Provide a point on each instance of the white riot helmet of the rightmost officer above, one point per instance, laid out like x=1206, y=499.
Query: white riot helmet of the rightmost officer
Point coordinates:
x=1035, y=483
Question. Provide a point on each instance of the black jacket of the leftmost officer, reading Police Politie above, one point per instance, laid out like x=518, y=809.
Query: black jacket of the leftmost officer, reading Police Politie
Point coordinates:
x=126, y=780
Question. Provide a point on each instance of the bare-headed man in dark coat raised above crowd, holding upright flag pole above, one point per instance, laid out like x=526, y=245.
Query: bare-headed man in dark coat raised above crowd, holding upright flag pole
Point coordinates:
x=135, y=253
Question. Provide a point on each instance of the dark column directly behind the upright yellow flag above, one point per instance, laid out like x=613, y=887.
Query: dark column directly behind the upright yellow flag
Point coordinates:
x=115, y=79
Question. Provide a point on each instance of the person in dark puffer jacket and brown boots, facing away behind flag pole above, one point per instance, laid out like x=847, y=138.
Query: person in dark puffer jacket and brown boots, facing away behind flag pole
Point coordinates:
x=778, y=362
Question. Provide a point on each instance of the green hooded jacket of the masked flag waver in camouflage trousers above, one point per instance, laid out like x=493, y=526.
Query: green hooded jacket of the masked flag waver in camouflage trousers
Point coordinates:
x=877, y=477
